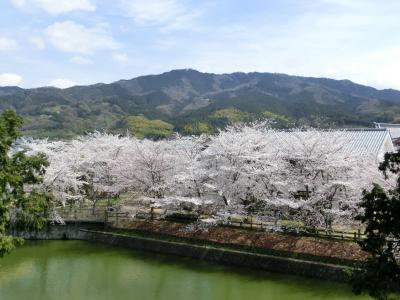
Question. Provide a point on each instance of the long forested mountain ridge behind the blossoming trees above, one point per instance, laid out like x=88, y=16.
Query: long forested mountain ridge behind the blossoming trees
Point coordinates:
x=184, y=96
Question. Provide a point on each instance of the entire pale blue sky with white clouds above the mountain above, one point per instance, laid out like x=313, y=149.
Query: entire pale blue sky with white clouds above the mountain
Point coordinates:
x=78, y=42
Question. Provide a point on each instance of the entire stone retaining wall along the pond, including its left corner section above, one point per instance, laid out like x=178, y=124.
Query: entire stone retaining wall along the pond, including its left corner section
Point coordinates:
x=92, y=231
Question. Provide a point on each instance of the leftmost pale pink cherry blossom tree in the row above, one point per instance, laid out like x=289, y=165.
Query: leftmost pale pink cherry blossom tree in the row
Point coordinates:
x=80, y=169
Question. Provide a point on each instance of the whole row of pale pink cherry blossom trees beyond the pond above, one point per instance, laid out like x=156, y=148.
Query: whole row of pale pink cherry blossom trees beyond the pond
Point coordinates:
x=311, y=176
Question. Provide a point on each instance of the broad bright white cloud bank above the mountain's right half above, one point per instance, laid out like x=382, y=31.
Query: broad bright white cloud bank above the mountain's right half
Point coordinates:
x=359, y=44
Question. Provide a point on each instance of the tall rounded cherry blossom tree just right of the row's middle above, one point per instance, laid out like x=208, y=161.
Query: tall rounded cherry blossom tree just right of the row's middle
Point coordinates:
x=242, y=162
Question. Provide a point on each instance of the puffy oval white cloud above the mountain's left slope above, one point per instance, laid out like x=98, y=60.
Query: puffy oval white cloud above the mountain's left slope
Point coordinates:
x=69, y=36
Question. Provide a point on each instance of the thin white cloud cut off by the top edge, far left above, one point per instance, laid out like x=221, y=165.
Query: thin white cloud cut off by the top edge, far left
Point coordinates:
x=55, y=7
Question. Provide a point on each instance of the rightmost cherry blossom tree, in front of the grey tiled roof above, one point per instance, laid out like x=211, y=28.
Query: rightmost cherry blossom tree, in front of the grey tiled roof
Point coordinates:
x=324, y=178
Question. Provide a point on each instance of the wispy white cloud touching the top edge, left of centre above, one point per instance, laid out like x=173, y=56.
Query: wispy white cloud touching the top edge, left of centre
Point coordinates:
x=169, y=14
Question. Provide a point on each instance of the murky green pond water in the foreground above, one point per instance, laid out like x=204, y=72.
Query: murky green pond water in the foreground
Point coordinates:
x=76, y=270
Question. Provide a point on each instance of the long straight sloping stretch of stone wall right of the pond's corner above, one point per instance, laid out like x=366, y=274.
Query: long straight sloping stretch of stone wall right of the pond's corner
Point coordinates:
x=225, y=256
